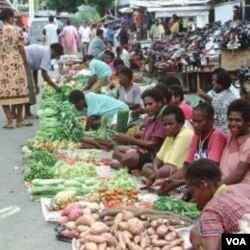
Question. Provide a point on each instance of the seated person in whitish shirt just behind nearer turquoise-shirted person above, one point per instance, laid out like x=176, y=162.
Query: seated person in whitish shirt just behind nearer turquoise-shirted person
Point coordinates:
x=128, y=92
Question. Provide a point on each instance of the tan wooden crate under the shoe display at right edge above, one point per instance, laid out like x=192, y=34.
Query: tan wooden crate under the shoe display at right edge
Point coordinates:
x=234, y=59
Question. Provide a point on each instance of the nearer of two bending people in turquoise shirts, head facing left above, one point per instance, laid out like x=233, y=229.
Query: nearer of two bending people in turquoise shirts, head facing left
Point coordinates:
x=96, y=104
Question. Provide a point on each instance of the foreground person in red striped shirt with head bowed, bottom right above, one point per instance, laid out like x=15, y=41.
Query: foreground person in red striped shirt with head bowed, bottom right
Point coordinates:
x=221, y=206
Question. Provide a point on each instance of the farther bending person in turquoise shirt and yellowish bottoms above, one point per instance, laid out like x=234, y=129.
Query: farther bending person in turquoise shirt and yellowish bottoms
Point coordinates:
x=100, y=73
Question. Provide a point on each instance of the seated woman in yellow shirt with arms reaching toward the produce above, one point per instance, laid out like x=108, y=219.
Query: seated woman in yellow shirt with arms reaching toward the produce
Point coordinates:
x=173, y=152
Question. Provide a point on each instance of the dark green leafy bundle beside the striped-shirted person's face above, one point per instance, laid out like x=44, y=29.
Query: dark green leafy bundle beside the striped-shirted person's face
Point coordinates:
x=180, y=207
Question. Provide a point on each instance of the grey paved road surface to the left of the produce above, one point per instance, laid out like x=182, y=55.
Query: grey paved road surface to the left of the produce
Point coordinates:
x=24, y=229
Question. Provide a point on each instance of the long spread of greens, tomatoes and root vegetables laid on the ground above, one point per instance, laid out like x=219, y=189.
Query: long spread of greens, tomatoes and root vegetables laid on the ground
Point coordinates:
x=98, y=207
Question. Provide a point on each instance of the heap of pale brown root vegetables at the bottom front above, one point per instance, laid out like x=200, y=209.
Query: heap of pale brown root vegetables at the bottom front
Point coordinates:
x=127, y=232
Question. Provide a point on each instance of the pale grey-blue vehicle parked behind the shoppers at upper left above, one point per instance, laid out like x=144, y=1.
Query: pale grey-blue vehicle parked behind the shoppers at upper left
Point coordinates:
x=36, y=29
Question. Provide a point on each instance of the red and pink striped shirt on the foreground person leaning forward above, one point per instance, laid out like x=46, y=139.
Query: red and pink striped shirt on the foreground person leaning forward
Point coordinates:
x=222, y=213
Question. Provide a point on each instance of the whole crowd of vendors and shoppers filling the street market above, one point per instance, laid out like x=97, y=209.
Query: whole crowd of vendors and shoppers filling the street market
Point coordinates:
x=200, y=153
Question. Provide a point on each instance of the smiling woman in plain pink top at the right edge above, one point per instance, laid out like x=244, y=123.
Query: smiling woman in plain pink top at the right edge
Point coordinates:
x=235, y=161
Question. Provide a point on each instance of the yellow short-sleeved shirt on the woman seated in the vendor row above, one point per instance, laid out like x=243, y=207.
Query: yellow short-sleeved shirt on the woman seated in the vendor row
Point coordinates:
x=174, y=150
